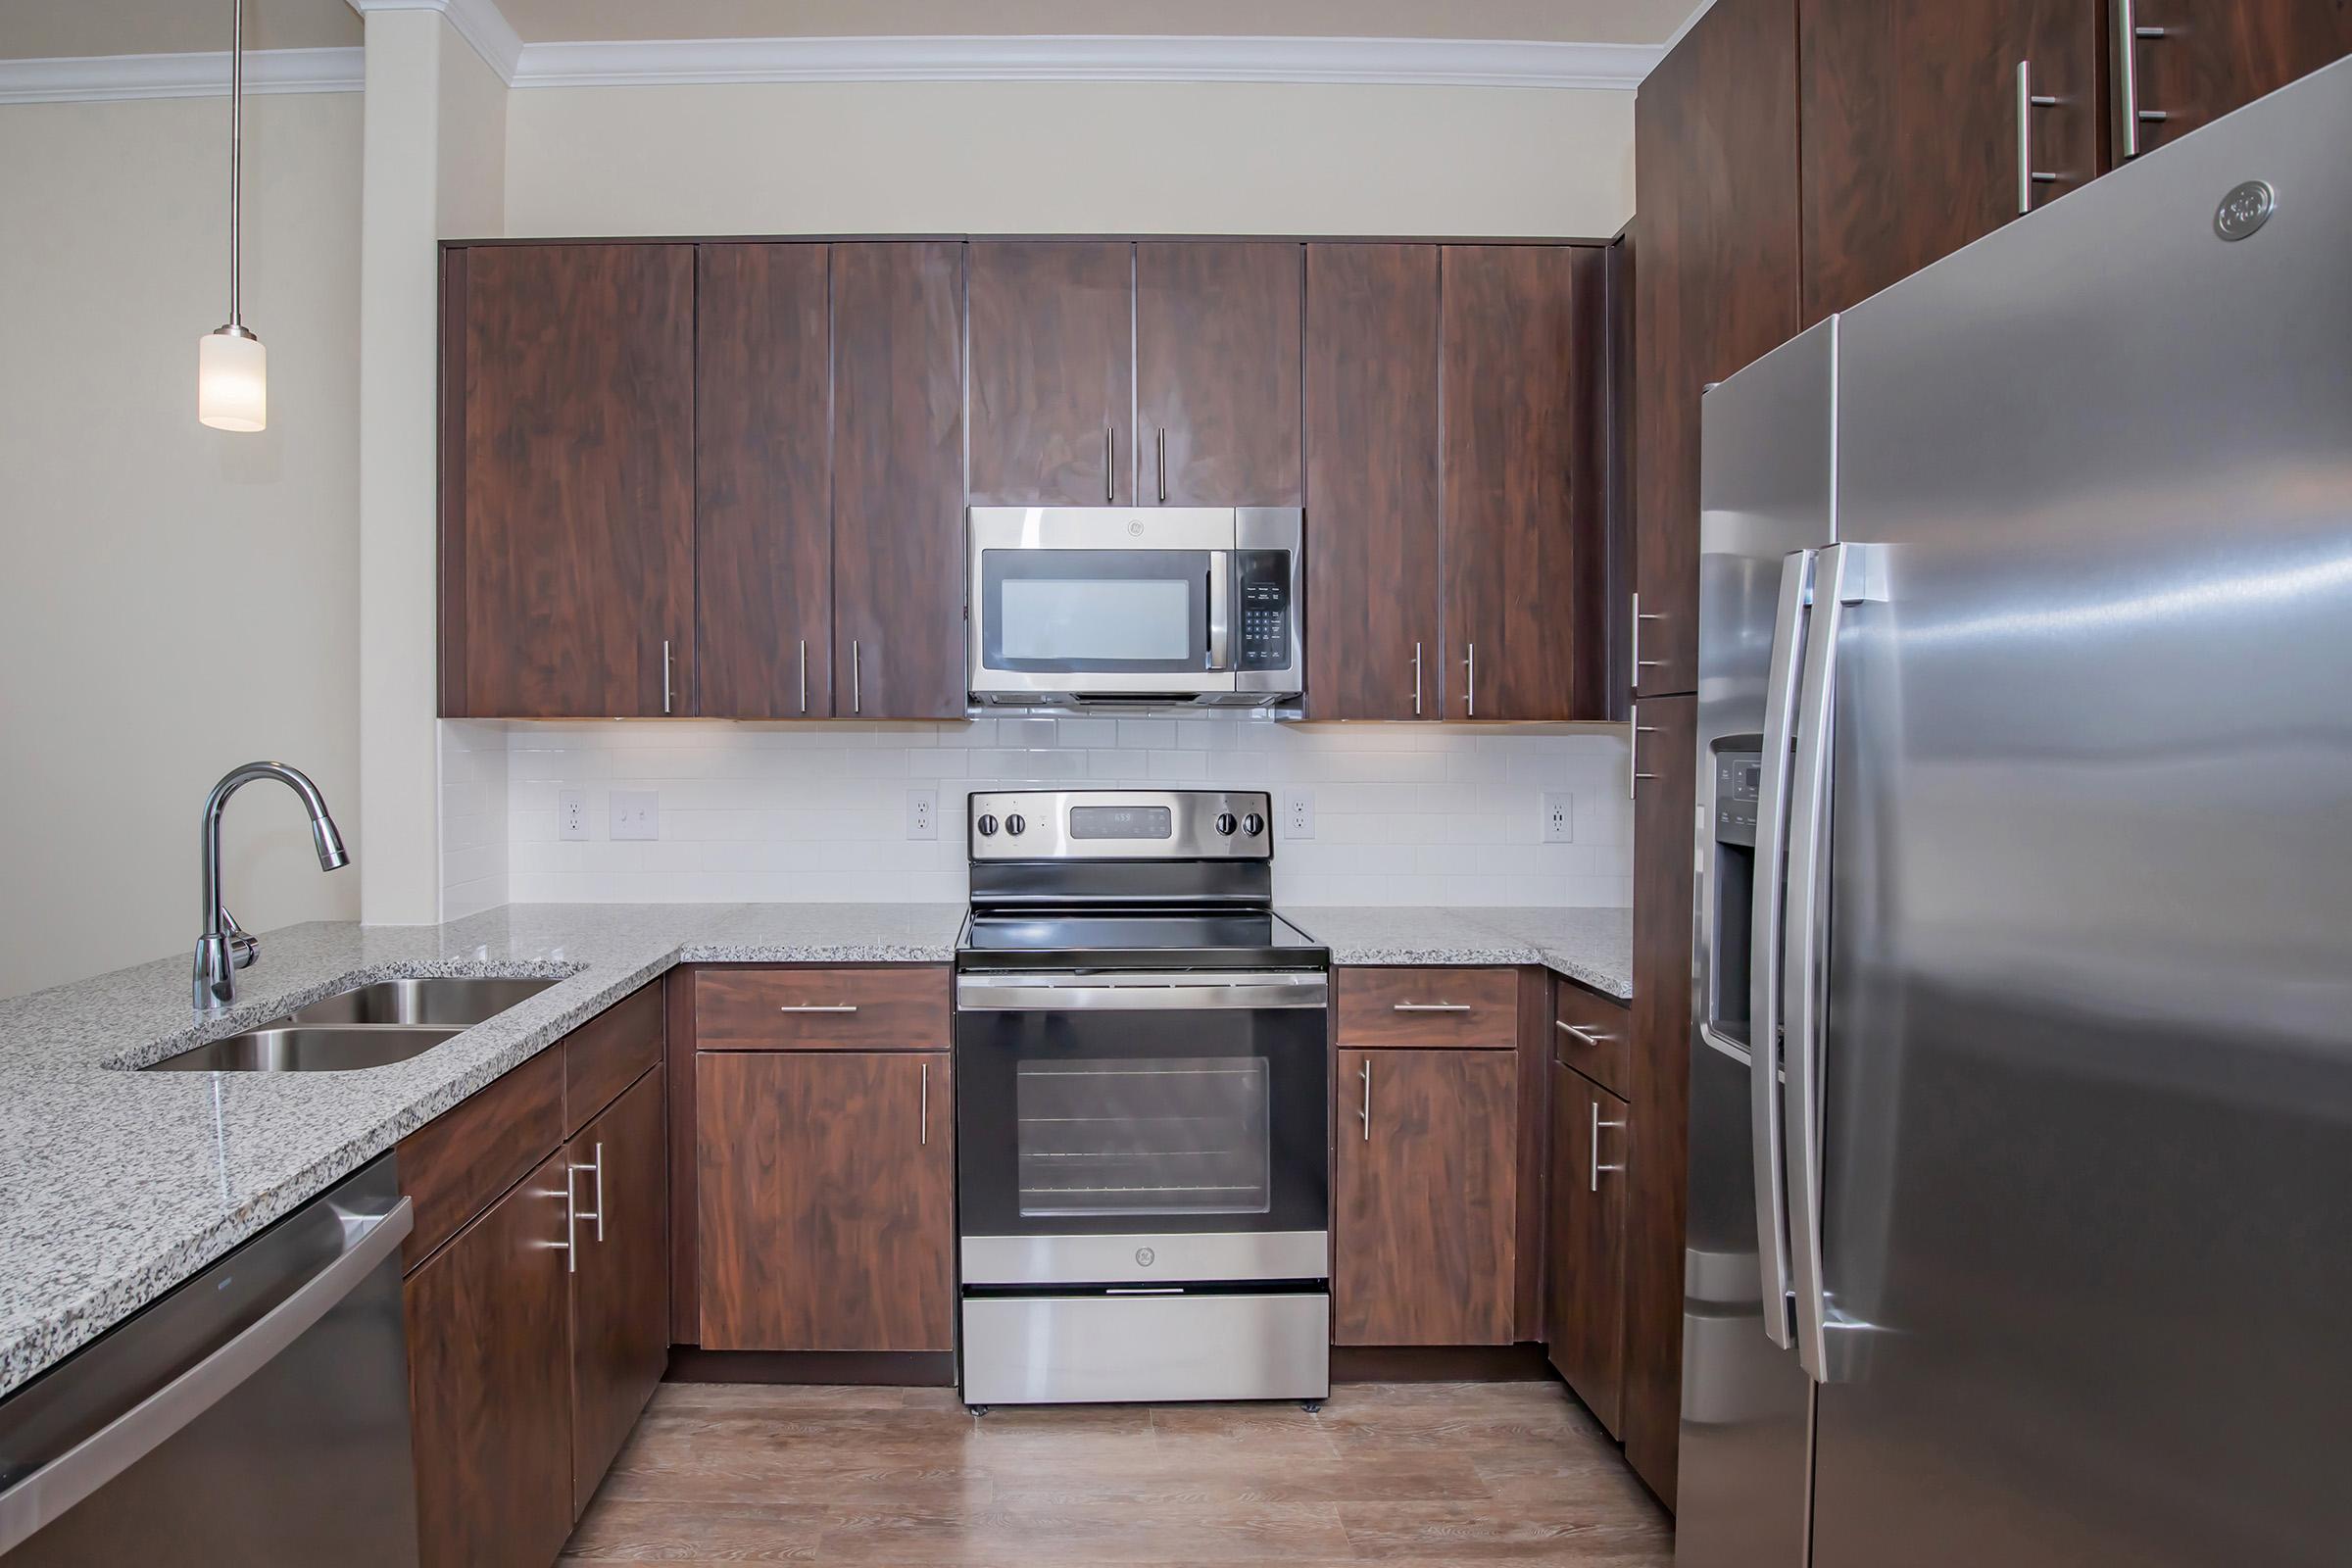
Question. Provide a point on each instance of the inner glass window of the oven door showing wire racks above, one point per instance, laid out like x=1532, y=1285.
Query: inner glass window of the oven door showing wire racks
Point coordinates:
x=1151, y=1137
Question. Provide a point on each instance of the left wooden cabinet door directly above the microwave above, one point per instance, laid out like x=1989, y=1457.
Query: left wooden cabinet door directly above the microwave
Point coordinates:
x=1053, y=351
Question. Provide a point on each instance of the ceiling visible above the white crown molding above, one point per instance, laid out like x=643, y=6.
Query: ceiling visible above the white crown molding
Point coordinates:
x=36, y=29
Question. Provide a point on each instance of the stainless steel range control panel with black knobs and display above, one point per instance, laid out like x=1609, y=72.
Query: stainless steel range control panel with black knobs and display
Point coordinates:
x=1123, y=826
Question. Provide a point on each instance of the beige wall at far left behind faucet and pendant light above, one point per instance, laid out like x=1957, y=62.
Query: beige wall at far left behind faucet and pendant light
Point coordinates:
x=175, y=601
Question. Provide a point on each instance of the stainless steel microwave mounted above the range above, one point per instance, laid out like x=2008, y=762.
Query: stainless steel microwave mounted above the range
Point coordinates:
x=1140, y=605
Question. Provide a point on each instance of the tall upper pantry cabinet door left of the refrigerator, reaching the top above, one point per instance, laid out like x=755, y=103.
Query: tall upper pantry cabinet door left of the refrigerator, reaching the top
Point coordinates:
x=1716, y=286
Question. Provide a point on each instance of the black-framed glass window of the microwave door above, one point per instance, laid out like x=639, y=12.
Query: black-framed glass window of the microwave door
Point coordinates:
x=1114, y=612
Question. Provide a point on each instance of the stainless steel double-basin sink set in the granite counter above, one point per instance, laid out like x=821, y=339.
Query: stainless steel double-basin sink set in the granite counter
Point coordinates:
x=368, y=1026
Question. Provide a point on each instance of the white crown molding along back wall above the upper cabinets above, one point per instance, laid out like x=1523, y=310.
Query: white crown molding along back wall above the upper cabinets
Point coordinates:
x=1417, y=62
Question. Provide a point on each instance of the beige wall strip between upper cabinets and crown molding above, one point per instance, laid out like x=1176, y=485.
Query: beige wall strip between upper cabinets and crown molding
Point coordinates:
x=1067, y=159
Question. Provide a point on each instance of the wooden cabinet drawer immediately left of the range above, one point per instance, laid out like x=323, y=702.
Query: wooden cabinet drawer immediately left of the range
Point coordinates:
x=822, y=1010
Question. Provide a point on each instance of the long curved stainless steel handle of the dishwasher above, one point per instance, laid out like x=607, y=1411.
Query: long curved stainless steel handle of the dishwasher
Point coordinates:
x=74, y=1475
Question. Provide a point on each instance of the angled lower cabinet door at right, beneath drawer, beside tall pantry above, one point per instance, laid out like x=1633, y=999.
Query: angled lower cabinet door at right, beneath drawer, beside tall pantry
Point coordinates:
x=1584, y=1308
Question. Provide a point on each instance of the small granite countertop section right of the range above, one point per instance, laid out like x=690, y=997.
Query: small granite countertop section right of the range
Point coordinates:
x=1586, y=946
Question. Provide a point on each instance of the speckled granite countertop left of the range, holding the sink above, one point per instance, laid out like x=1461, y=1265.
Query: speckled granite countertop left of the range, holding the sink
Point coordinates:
x=116, y=1186
